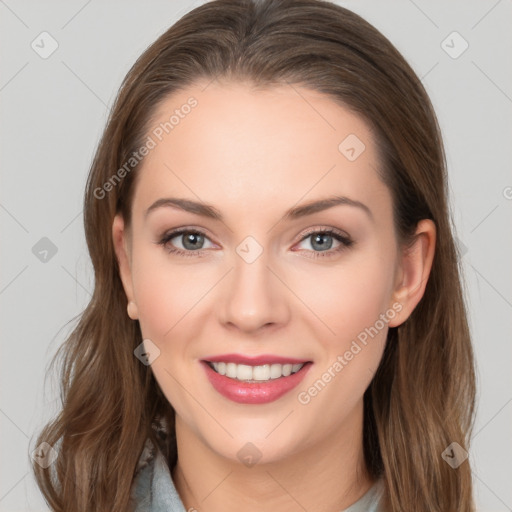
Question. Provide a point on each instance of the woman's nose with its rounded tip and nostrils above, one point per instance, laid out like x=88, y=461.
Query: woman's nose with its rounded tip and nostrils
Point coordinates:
x=255, y=298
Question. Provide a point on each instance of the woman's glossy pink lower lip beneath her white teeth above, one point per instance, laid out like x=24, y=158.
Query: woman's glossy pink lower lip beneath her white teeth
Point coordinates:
x=254, y=392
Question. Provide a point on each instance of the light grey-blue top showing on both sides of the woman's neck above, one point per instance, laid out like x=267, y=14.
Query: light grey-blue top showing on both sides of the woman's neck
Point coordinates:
x=153, y=489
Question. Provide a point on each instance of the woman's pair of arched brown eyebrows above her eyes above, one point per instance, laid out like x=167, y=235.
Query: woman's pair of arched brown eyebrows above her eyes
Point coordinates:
x=209, y=211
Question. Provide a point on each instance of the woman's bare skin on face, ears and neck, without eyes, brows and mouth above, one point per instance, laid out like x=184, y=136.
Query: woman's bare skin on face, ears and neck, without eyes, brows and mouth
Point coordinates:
x=253, y=155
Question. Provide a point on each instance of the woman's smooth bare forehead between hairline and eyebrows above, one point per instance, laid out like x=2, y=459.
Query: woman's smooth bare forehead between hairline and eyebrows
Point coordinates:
x=248, y=150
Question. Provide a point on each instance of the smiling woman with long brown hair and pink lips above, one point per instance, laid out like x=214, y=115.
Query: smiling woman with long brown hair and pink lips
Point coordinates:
x=277, y=320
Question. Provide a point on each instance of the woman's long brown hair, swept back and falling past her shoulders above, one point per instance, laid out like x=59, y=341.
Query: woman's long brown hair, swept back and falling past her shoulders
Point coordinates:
x=422, y=397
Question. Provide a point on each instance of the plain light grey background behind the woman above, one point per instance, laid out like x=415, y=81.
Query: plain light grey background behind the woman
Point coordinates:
x=53, y=112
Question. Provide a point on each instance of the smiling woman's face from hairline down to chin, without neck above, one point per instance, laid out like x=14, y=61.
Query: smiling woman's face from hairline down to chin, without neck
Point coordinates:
x=257, y=281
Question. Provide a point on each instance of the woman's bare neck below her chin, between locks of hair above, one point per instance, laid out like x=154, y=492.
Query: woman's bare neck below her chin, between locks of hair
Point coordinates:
x=326, y=476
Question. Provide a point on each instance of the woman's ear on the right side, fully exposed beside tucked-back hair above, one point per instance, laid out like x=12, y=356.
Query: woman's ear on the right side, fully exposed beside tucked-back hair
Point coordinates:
x=414, y=270
